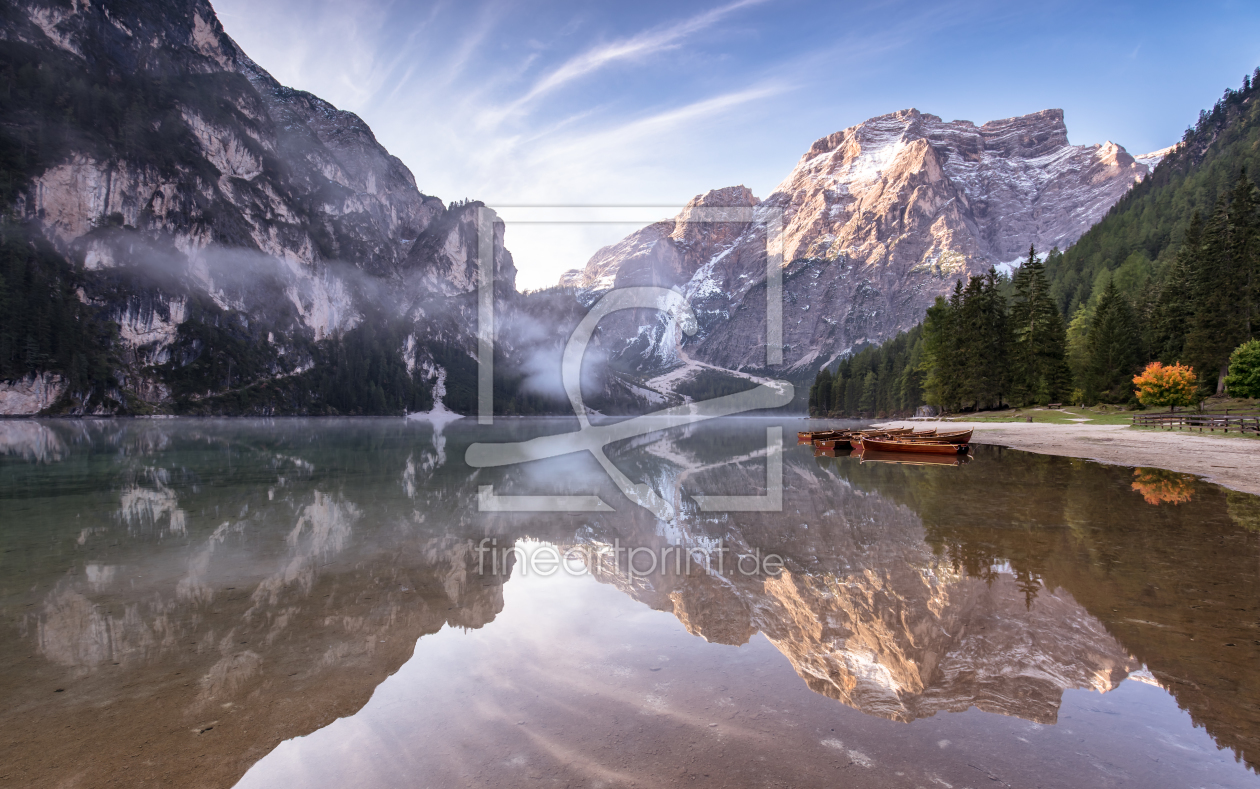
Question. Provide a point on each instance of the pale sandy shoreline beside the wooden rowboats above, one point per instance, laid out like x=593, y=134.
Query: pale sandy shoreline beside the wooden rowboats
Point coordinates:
x=1233, y=463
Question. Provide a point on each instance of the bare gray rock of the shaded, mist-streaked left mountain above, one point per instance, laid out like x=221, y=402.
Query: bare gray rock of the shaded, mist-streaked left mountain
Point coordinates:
x=272, y=204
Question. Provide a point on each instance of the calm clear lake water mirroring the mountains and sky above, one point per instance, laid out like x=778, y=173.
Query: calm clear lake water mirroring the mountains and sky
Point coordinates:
x=303, y=603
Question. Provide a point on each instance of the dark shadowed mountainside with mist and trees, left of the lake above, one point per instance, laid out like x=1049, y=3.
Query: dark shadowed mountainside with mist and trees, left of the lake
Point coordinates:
x=201, y=197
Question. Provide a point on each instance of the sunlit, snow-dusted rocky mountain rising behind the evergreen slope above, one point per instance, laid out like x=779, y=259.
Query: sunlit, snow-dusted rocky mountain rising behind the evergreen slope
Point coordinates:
x=879, y=220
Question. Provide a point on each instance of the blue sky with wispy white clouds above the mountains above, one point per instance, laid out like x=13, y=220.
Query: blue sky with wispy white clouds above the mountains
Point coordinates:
x=531, y=104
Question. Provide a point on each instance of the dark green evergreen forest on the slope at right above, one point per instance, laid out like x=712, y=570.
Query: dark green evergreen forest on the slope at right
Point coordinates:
x=1171, y=274
